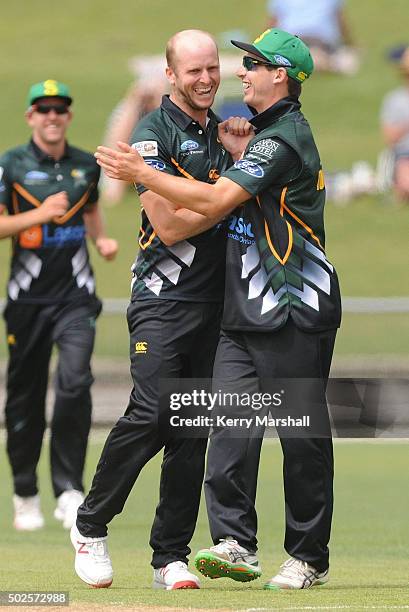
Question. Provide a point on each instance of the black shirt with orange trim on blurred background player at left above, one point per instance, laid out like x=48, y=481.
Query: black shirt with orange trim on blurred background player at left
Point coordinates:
x=50, y=262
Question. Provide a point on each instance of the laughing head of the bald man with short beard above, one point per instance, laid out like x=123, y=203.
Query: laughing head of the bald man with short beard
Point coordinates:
x=194, y=73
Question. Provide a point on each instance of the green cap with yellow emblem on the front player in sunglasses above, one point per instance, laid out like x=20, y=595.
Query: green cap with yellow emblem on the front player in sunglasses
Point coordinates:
x=282, y=49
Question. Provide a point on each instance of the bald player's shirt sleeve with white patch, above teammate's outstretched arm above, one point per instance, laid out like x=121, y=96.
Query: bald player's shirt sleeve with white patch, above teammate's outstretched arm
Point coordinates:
x=150, y=146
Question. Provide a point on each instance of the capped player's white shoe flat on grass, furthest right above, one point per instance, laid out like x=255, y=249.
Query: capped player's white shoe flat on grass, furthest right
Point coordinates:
x=296, y=574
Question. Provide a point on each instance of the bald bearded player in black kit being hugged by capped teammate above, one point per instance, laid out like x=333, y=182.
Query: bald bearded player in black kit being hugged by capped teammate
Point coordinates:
x=176, y=307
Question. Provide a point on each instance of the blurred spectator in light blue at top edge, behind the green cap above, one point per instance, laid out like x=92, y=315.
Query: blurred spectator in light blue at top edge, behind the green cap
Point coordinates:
x=323, y=26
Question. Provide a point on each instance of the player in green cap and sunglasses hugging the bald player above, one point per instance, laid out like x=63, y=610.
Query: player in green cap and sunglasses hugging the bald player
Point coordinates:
x=281, y=310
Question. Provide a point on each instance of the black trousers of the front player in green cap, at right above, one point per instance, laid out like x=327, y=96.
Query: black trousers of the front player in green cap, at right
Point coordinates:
x=233, y=460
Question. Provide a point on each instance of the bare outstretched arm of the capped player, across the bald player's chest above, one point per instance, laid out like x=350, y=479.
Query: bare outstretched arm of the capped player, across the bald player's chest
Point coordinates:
x=212, y=201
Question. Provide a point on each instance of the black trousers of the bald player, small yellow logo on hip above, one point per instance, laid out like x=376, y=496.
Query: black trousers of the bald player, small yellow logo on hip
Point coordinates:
x=168, y=339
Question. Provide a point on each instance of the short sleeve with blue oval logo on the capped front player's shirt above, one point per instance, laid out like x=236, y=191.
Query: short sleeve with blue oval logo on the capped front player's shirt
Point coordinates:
x=266, y=161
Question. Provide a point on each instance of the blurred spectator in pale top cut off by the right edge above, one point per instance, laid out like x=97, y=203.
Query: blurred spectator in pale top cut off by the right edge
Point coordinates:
x=395, y=125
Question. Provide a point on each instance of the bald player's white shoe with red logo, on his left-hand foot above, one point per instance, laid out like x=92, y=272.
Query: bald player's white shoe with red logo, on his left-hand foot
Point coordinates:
x=92, y=562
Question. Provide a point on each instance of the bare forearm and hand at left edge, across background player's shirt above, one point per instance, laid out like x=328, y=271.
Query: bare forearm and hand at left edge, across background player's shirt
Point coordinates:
x=53, y=206
